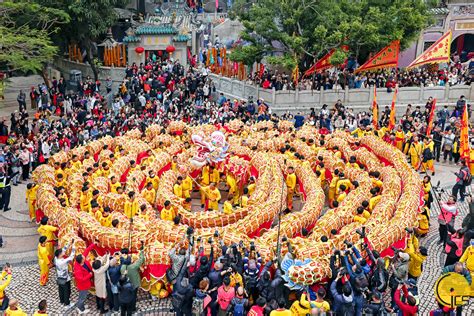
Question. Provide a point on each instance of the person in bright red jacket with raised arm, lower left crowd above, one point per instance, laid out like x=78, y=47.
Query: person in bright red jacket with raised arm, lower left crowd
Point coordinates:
x=84, y=276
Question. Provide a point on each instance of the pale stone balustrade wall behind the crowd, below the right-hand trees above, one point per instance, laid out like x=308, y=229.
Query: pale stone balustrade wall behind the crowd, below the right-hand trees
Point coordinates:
x=359, y=99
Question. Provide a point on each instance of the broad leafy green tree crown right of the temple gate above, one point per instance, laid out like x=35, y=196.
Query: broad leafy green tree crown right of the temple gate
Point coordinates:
x=307, y=29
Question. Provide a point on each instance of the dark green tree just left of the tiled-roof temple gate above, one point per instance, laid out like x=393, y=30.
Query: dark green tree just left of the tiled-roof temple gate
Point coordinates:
x=90, y=20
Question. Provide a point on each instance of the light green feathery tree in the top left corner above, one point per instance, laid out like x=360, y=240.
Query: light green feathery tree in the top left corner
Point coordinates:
x=25, y=30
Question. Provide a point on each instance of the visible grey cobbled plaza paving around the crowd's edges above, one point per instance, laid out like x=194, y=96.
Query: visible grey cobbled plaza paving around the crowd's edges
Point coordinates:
x=20, y=242
